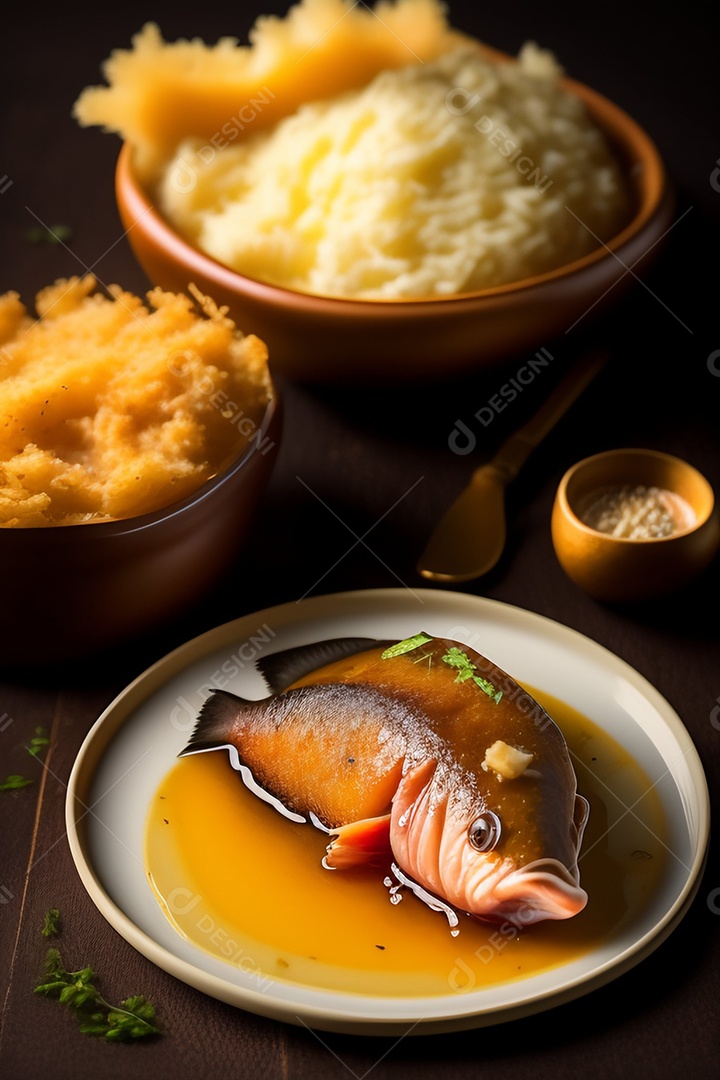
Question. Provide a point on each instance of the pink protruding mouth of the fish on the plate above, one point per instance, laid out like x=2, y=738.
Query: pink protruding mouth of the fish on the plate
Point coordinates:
x=545, y=889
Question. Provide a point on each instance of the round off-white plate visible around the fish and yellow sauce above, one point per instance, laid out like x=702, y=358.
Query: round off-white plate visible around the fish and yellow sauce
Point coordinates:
x=132, y=746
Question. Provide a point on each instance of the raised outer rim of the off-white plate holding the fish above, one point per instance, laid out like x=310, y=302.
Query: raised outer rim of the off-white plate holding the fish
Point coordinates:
x=345, y=1019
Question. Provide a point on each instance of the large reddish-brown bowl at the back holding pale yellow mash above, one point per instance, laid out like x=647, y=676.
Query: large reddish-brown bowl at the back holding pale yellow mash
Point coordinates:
x=321, y=340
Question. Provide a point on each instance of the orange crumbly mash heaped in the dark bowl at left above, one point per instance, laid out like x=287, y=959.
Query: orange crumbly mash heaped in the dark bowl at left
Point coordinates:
x=113, y=409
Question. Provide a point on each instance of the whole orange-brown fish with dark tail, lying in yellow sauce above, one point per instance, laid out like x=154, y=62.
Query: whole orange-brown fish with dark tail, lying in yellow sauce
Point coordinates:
x=423, y=752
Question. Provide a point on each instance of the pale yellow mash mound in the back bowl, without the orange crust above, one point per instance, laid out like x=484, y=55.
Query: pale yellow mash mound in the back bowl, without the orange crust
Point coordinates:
x=438, y=179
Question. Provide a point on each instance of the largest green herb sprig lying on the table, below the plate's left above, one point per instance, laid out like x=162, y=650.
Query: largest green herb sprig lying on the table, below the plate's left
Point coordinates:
x=134, y=1019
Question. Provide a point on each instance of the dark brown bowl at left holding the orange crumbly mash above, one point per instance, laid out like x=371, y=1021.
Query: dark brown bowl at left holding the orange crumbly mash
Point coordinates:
x=71, y=591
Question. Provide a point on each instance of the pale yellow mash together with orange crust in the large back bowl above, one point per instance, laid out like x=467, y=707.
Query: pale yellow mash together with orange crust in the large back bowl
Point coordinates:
x=396, y=172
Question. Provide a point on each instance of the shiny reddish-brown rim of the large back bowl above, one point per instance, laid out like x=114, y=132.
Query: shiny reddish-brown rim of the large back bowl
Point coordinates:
x=640, y=158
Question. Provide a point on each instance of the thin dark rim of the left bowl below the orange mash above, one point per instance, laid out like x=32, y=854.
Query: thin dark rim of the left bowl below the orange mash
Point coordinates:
x=108, y=528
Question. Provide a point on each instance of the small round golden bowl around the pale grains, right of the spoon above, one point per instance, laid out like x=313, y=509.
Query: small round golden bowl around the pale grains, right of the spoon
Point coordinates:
x=619, y=569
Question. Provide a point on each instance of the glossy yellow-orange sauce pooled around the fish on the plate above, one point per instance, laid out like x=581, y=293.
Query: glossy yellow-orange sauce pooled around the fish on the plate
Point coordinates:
x=248, y=886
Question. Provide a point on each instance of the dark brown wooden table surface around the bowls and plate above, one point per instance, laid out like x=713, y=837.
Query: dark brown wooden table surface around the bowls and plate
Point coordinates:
x=365, y=476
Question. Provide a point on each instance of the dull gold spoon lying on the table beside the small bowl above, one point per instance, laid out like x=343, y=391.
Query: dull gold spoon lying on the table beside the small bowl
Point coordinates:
x=471, y=536
